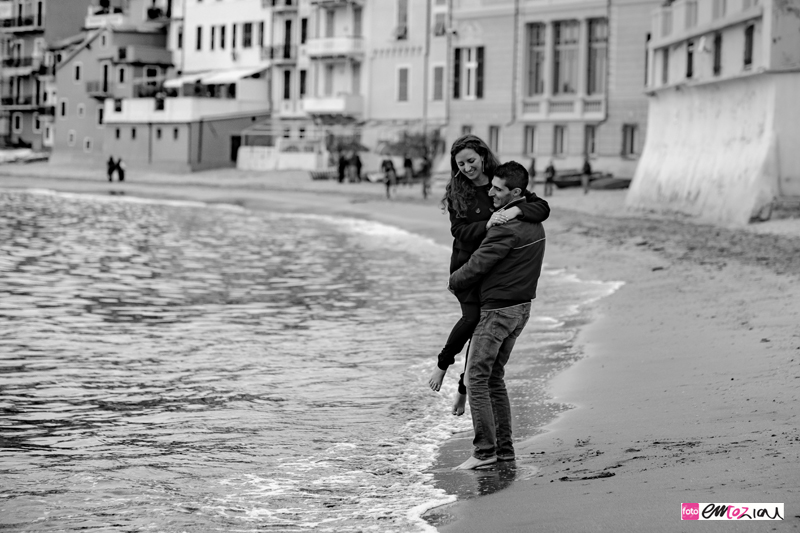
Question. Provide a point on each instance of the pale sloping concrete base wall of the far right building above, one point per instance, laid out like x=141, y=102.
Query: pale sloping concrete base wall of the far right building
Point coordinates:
x=712, y=150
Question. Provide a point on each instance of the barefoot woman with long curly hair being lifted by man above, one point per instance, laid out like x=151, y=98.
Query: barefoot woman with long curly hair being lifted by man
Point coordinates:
x=471, y=210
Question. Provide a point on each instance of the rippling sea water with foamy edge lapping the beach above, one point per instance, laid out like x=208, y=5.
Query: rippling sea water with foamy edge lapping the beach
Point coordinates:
x=175, y=366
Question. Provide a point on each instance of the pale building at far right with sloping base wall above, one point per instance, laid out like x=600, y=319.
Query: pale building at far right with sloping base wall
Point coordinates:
x=722, y=138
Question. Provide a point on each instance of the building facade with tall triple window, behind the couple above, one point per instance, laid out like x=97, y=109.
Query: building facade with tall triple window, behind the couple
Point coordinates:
x=552, y=81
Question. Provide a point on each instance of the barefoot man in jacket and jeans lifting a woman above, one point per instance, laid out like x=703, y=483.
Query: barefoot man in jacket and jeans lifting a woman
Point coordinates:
x=506, y=267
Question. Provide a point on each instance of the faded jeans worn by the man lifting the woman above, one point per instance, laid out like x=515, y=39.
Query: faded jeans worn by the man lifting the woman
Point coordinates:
x=492, y=343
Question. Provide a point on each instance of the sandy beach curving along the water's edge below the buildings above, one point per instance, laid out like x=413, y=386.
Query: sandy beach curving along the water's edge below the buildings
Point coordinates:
x=689, y=386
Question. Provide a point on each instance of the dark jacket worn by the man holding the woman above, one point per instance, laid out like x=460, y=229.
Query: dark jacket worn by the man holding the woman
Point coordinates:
x=507, y=265
